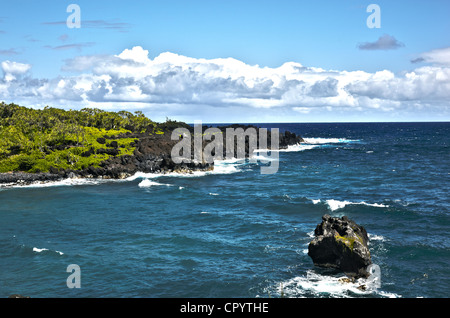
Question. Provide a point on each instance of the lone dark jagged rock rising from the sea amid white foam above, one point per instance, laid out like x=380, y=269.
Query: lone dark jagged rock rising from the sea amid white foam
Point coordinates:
x=342, y=244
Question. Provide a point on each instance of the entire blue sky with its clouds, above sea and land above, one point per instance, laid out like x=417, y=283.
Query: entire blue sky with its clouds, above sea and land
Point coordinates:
x=231, y=61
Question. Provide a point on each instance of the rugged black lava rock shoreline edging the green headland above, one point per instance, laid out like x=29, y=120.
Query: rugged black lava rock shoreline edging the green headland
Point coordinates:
x=152, y=155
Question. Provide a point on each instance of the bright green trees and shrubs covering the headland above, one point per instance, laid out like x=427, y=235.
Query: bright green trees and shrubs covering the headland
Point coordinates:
x=33, y=140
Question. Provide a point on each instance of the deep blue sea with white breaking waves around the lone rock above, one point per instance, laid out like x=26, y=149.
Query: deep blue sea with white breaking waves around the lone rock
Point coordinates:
x=236, y=232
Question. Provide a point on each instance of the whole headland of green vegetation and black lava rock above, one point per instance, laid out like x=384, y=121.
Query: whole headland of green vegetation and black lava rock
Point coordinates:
x=50, y=144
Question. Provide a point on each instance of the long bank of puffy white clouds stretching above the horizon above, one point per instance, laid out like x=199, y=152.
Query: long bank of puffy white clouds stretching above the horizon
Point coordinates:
x=172, y=81
